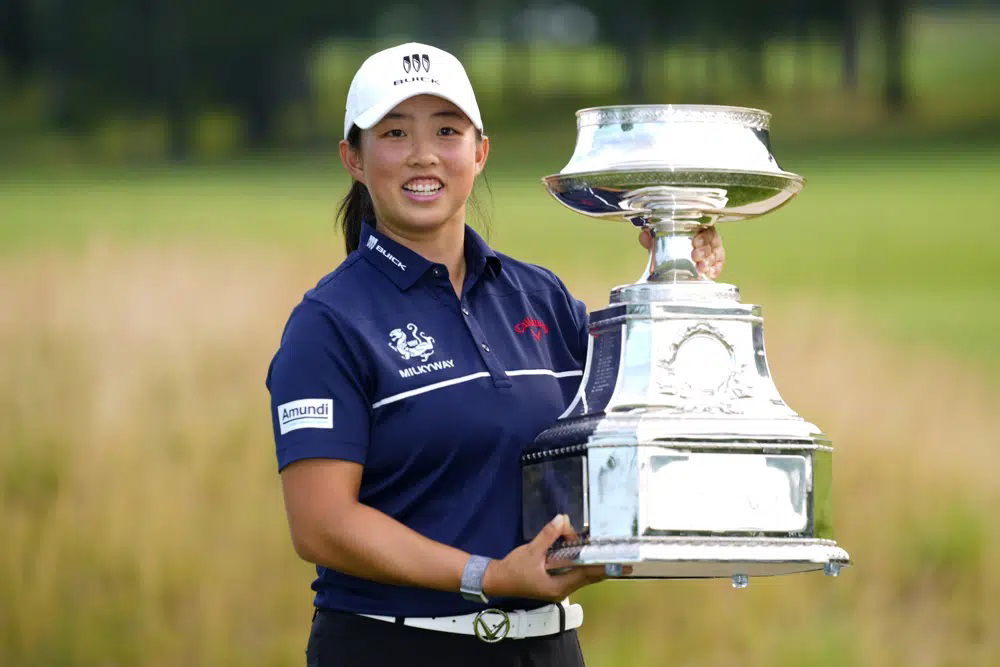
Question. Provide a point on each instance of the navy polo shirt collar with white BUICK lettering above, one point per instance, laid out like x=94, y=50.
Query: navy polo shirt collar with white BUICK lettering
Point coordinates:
x=404, y=267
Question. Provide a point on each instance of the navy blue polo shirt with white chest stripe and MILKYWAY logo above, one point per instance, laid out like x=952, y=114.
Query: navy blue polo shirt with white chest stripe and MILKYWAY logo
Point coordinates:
x=435, y=395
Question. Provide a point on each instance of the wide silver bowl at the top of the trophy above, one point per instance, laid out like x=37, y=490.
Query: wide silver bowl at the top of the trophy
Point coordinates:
x=699, y=164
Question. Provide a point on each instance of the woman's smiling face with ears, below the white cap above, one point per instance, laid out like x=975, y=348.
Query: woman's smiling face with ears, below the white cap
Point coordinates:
x=419, y=164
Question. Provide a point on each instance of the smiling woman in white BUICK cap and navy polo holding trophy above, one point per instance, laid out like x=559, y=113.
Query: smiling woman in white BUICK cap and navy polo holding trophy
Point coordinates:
x=405, y=386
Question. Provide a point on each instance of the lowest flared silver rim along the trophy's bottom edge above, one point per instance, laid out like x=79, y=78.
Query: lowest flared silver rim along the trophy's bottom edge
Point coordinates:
x=687, y=557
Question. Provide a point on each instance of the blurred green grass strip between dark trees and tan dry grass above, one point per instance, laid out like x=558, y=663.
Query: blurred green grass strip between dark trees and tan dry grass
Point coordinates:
x=907, y=234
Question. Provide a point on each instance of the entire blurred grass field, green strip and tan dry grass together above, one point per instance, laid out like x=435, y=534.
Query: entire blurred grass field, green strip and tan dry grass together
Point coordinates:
x=141, y=512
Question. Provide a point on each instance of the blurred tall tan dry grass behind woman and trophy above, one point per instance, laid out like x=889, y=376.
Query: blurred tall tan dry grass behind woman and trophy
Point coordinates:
x=141, y=518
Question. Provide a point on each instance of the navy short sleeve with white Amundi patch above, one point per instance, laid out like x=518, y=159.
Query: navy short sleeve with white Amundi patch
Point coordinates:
x=319, y=405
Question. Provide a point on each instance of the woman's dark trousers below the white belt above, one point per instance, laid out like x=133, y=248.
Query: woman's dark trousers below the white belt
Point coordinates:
x=341, y=639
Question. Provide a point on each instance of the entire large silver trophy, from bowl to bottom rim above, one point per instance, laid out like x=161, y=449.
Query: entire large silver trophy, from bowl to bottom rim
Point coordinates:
x=678, y=457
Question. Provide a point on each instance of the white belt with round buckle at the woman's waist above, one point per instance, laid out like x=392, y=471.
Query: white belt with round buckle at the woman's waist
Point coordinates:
x=492, y=625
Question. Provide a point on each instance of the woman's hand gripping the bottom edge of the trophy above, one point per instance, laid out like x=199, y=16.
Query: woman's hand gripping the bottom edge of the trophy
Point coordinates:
x=522, y=573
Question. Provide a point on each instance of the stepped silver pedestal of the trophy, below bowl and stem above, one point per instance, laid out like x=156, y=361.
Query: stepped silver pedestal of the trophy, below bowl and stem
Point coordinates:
x=678, y=458
